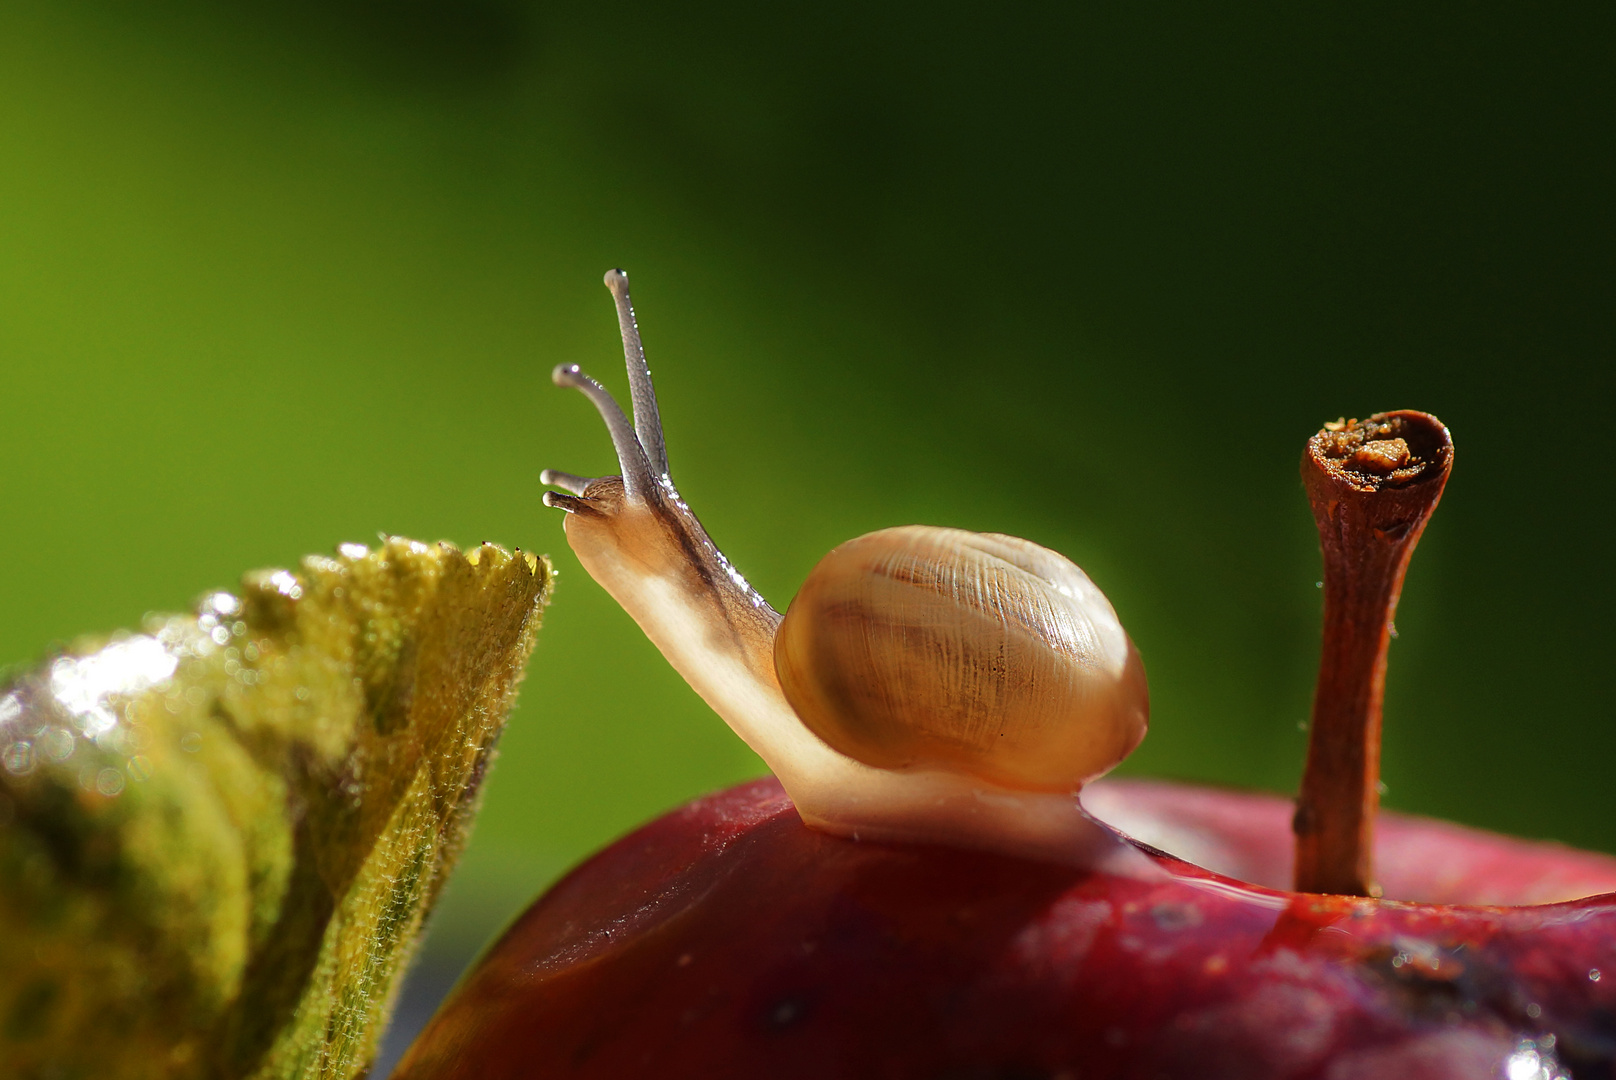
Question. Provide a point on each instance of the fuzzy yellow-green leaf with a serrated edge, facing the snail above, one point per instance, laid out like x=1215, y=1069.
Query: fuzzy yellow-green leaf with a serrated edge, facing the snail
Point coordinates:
x=219, y=837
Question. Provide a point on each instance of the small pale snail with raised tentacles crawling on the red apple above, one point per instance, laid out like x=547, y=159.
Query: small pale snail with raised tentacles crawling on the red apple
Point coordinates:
x=925, y=685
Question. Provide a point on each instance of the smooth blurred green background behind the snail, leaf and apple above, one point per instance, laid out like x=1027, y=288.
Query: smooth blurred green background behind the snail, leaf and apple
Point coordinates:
x=277, y=277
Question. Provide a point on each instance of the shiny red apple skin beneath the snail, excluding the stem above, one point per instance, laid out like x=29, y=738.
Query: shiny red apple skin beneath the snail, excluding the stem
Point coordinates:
x=728, y=940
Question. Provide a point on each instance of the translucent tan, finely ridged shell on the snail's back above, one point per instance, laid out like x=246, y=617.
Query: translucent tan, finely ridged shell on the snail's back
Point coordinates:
x=983, y=654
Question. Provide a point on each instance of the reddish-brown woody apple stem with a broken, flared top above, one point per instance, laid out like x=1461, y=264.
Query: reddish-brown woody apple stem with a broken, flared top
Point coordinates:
x=1373, y=486
